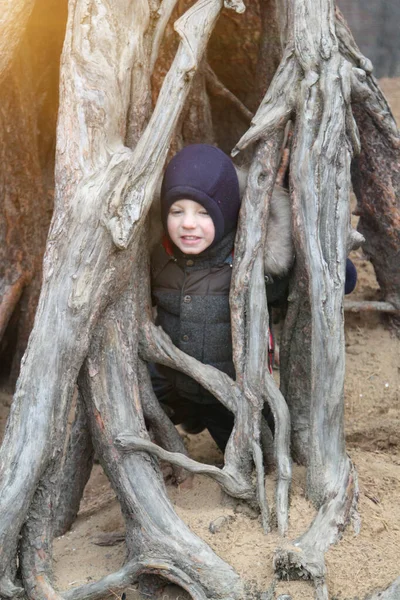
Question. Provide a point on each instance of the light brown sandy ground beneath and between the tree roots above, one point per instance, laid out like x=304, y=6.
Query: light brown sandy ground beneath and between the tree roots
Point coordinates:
x=359, y=563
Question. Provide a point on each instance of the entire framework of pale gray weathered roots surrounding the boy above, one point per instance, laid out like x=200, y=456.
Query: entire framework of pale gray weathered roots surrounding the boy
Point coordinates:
x=96, y=246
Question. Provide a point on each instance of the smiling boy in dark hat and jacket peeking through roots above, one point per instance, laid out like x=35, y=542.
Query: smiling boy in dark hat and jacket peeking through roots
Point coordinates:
x=191, y=276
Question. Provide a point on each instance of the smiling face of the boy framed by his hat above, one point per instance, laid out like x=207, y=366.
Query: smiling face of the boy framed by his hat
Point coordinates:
x=190, y=226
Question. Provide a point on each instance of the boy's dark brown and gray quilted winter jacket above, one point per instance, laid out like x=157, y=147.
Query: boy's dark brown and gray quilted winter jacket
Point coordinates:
x=191, y=293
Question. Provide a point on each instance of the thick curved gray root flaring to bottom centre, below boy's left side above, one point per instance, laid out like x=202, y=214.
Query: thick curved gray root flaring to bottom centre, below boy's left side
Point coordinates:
x=153, y=530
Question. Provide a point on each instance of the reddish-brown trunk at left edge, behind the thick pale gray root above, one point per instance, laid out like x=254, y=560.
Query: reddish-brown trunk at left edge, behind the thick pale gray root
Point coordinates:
x=25, y=207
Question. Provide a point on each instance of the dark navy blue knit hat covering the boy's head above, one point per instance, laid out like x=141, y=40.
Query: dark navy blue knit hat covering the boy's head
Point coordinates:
x=206, y=175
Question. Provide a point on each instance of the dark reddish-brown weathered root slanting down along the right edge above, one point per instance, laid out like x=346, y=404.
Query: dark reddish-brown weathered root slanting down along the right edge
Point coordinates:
x=376, y=171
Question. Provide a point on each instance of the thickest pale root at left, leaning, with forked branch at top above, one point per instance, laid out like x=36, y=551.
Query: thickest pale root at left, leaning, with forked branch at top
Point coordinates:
x=83, y=271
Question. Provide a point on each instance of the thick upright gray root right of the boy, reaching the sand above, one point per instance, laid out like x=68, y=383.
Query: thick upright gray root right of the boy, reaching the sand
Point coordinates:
x=312, y=353
